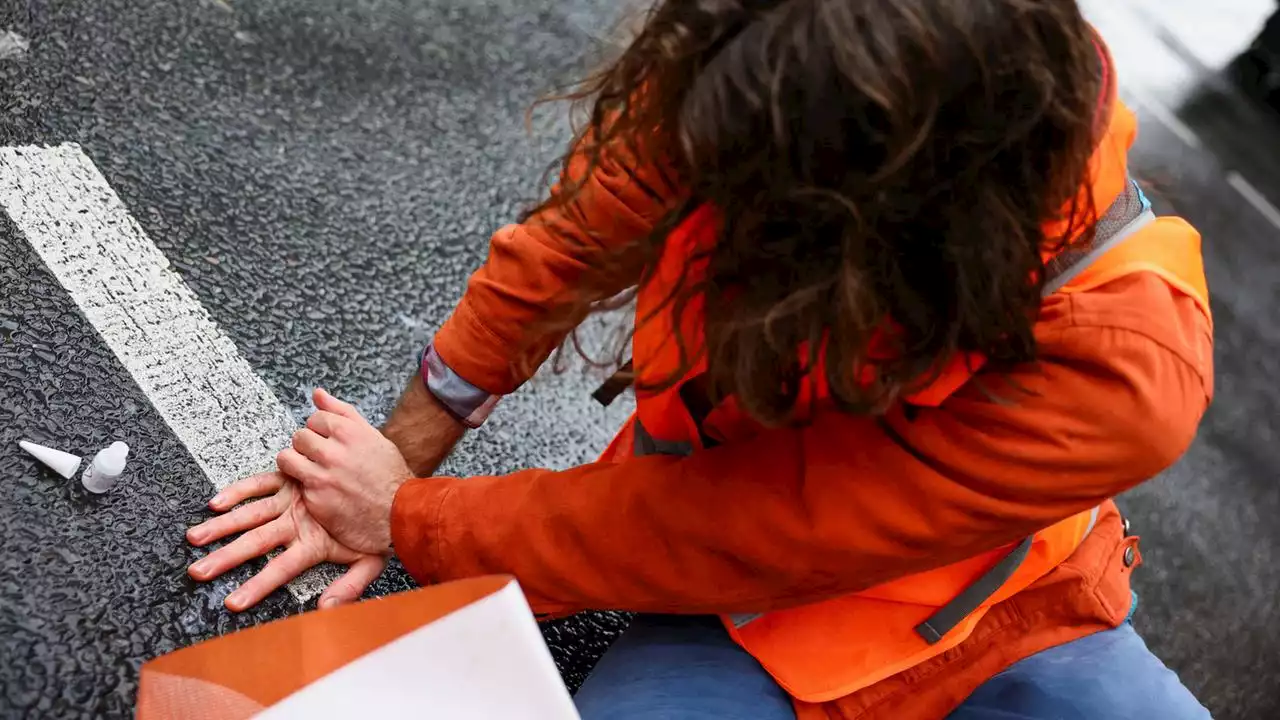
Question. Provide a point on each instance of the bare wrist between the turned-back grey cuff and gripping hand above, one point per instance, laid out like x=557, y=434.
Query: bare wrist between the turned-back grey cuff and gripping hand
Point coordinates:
x=423, y=430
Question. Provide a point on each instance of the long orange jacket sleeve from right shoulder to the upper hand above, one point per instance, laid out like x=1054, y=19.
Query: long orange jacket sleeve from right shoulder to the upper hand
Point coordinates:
x=847, y=503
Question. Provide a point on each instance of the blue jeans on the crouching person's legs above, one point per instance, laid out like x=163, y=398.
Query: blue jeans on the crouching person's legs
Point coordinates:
x=675, y=668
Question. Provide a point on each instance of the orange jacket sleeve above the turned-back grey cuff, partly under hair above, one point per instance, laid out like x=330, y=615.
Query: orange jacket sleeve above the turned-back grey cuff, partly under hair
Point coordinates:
x=534, y=265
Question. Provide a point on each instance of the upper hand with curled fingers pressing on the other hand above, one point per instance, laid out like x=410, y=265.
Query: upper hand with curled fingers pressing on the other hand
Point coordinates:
x=350, y=473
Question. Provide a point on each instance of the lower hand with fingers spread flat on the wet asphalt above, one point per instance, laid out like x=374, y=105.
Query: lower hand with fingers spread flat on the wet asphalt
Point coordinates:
x=280, y=521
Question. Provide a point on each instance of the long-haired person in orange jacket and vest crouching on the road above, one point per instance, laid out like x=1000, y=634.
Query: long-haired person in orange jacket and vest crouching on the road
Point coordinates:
x=903, y=327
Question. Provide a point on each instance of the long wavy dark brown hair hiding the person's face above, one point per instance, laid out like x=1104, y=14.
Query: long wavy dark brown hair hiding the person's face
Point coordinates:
x=881, y=168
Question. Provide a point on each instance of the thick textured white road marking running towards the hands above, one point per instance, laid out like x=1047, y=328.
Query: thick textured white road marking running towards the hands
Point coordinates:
x=190, y=371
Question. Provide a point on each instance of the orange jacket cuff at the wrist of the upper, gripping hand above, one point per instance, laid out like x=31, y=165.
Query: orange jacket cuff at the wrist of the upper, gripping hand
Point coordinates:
x=417, y=517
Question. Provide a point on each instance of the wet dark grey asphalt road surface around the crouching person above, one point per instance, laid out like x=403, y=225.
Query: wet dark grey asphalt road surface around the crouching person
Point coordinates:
x=324, y=174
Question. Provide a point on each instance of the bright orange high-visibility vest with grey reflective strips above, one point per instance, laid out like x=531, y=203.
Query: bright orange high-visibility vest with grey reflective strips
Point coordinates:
x=833, y=649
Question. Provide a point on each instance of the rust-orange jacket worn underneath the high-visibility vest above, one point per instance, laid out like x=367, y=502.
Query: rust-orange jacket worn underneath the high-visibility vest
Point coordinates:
x=844, y=504
